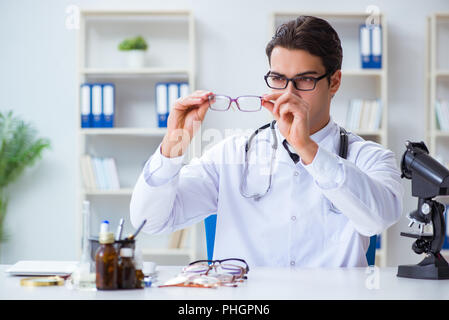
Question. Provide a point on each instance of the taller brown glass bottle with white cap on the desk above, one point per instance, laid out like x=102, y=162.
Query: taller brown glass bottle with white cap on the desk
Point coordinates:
x=106, y=260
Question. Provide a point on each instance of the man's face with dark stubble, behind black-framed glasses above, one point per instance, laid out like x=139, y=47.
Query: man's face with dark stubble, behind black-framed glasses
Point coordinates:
x=290, y=63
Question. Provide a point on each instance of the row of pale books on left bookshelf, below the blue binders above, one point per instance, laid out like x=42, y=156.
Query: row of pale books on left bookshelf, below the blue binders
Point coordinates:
x=99, y=173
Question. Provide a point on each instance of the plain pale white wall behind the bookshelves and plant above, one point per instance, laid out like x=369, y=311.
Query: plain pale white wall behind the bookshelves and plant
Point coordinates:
x=38, y=81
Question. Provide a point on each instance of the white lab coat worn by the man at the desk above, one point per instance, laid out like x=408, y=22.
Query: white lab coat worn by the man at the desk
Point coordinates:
x=316, y=215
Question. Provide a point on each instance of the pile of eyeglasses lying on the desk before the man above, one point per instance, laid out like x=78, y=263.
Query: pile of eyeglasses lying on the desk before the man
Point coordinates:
x=211, y=274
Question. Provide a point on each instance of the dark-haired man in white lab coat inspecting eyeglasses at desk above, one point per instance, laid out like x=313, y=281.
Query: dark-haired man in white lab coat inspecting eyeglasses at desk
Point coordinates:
x=319, y=210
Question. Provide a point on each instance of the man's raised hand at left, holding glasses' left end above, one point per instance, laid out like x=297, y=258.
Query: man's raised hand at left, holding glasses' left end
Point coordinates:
x=183, y=121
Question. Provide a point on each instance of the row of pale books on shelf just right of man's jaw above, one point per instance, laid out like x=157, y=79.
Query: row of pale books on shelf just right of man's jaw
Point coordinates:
x=364, y=114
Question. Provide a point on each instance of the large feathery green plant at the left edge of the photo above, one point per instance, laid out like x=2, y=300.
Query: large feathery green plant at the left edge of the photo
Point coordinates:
x=19, y=148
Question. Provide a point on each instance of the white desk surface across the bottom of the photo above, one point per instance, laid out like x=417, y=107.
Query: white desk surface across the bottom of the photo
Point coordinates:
x=262, y=283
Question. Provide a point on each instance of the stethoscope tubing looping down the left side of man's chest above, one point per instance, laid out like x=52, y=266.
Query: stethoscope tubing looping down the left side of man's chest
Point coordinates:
x=274, y=146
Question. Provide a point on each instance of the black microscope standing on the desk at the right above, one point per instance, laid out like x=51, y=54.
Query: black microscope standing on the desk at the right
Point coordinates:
x=429, y=179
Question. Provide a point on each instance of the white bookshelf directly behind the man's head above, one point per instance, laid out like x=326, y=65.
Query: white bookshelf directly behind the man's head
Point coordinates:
x=356, y=83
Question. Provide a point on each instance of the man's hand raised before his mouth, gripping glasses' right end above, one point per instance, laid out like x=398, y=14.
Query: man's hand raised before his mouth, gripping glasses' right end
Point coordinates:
x=292, y=116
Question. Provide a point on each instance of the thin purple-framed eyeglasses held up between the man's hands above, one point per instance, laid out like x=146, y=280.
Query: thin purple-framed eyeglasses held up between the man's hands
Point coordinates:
x=244, y=103
